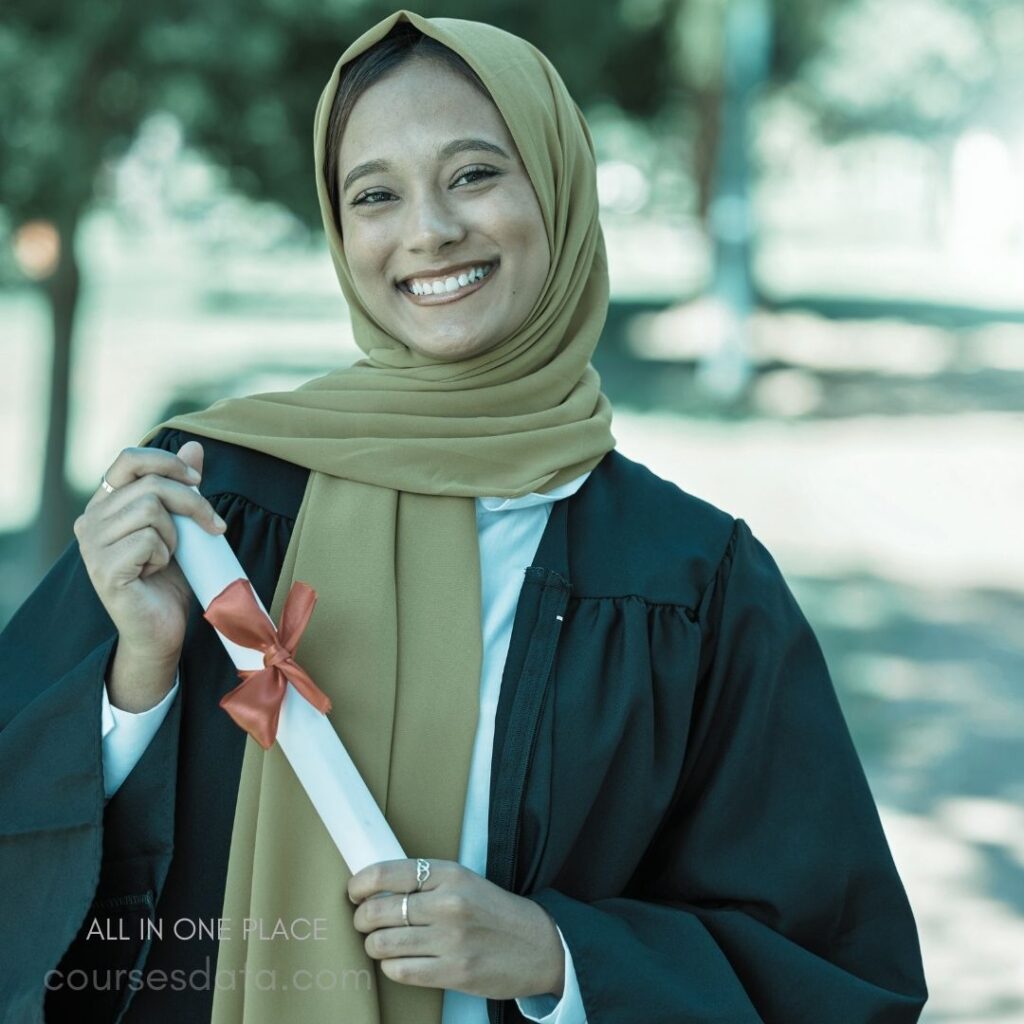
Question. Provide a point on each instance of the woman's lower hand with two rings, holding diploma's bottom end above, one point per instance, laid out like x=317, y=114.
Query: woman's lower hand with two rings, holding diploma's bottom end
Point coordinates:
x=464, y=932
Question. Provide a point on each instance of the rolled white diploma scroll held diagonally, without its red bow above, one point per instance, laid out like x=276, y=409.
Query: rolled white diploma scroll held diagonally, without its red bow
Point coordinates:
x=307, y=738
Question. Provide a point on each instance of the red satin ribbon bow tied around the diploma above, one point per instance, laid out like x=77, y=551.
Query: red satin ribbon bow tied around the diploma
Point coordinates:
x=255, y=704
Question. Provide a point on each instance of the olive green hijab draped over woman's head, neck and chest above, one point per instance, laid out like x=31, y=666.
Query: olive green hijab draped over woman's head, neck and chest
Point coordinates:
x=399, y=446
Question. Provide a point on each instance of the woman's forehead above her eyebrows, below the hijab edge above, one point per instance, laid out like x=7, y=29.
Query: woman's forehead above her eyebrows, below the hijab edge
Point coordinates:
x=420, y=105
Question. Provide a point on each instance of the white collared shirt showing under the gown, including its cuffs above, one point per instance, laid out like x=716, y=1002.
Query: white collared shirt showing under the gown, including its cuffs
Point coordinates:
x=508, y=544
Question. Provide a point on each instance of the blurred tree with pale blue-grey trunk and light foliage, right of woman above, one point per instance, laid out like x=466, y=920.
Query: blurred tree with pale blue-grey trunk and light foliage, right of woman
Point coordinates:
x=920, y=68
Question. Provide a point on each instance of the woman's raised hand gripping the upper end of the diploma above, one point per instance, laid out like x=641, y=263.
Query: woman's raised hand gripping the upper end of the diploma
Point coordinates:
x=127, y=540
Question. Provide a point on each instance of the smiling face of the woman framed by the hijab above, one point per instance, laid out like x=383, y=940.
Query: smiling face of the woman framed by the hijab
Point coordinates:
x=443, y=232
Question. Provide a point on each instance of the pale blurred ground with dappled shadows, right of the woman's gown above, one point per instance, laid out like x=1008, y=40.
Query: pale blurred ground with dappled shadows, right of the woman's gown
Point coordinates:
x=901, y=539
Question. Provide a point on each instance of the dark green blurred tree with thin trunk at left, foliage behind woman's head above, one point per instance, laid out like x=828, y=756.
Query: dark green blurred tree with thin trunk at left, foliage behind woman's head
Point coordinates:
x=243, y=78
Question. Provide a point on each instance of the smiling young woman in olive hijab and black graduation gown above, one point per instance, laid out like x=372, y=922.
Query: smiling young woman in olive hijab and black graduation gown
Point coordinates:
x=586, y=701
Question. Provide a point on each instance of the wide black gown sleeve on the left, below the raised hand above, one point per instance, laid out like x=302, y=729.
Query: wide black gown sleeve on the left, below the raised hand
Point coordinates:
x=68, y=856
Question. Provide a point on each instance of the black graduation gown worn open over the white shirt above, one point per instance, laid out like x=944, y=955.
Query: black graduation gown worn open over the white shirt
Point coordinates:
x=673, y=781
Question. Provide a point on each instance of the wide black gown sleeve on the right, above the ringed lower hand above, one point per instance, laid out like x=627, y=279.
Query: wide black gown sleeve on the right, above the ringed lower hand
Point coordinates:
x=770, y=893
